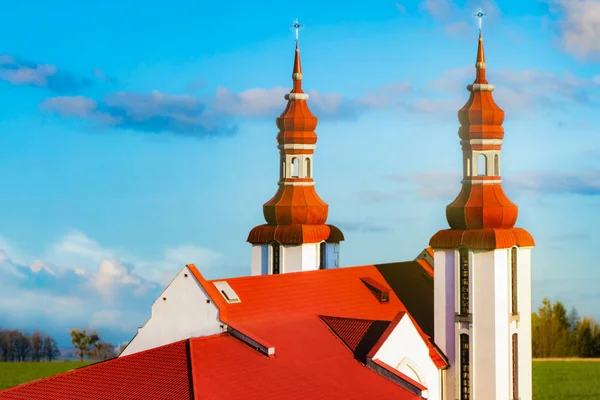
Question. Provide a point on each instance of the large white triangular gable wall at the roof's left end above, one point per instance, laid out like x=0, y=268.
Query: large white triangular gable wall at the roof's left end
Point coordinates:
x=184, y=314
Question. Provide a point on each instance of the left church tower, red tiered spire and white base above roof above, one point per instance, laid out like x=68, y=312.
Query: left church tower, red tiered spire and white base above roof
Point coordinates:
x=295, y=237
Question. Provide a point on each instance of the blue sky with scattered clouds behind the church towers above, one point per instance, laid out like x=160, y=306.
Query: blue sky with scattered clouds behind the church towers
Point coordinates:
x=136, y=137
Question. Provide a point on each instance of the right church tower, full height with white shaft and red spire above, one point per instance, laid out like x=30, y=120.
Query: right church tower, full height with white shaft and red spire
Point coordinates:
x=482, y=280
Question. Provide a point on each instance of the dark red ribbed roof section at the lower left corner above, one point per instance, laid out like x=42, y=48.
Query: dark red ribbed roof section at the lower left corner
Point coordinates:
x=161, y=373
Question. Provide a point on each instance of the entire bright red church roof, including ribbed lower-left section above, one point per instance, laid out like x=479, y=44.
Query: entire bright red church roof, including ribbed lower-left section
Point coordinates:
x=310, y=362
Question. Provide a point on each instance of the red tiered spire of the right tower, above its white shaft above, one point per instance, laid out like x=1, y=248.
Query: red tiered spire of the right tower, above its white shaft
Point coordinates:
x=482, y=204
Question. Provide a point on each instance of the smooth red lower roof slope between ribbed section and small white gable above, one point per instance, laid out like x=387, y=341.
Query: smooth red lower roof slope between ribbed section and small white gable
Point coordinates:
x=317, y=367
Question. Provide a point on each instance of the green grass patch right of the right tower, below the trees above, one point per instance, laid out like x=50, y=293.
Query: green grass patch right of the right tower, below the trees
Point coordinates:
x=558, y=380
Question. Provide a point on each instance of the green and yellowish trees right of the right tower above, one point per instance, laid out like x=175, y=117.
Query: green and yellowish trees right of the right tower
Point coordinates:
x=556, y=333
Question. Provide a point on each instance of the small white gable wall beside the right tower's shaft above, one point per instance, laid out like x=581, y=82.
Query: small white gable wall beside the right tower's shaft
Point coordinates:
x=405, y=350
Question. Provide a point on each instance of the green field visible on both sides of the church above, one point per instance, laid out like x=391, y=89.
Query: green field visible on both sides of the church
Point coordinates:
x=552, y=380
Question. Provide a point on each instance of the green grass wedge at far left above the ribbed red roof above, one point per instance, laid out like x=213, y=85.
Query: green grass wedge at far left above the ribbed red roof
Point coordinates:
x=12, y=374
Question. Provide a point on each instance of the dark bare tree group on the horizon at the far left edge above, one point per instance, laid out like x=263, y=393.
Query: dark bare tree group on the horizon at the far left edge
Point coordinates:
x=19, y=346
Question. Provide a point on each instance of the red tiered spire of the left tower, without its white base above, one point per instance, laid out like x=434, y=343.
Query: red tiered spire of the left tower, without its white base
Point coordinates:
x=296, y=214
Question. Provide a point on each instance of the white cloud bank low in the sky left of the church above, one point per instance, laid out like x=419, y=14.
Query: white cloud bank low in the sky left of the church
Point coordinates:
x=80, y=283
